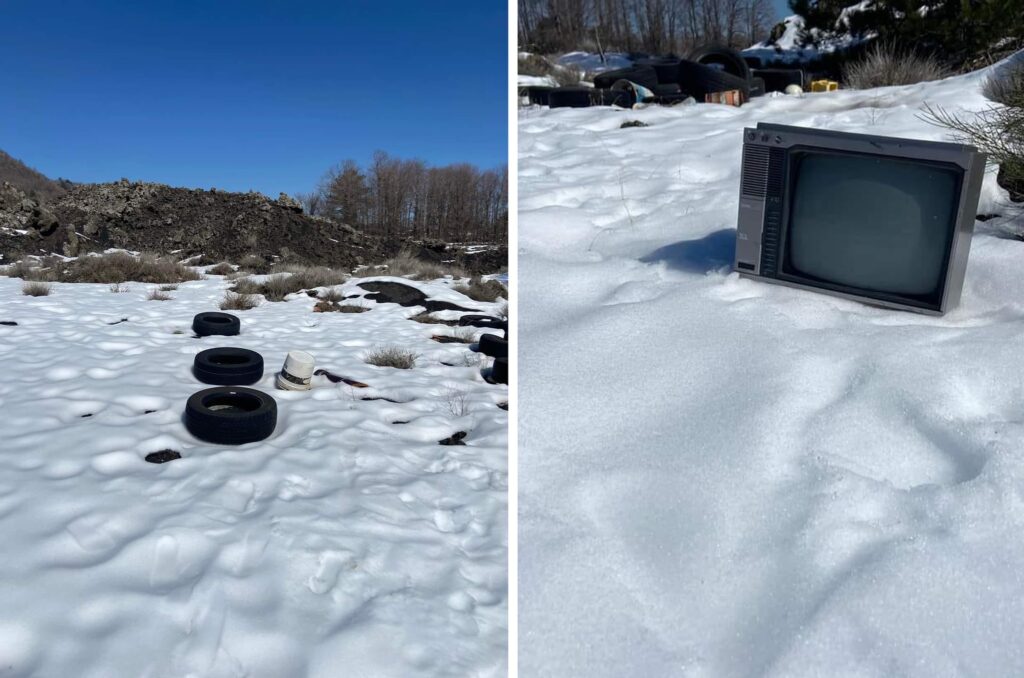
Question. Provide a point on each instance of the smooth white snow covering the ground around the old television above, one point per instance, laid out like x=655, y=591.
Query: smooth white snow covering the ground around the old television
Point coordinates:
x=721, y=478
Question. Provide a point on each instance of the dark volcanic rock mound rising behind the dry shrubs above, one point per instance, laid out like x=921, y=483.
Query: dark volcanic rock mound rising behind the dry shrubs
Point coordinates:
x=158, y=219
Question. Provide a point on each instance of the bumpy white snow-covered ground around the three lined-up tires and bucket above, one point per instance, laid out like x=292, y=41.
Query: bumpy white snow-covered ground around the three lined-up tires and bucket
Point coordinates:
x=350, y=543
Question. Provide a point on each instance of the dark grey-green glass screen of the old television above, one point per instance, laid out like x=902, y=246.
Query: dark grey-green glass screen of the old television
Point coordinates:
x=872, y=224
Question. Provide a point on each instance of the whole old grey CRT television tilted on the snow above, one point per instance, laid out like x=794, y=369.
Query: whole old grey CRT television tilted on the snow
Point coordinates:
x=878, y=220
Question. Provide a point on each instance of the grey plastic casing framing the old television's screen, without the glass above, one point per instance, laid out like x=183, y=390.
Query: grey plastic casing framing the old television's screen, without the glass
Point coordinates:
x=764, y=202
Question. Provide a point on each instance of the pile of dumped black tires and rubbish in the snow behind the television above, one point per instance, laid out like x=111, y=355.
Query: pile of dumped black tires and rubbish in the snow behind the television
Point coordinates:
x=669, y=81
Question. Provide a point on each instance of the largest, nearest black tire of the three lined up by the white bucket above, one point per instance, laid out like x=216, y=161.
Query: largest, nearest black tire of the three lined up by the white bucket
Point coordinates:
x=231, y=415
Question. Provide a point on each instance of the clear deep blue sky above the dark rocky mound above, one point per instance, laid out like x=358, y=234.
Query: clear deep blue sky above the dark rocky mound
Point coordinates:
x=244, y=95
